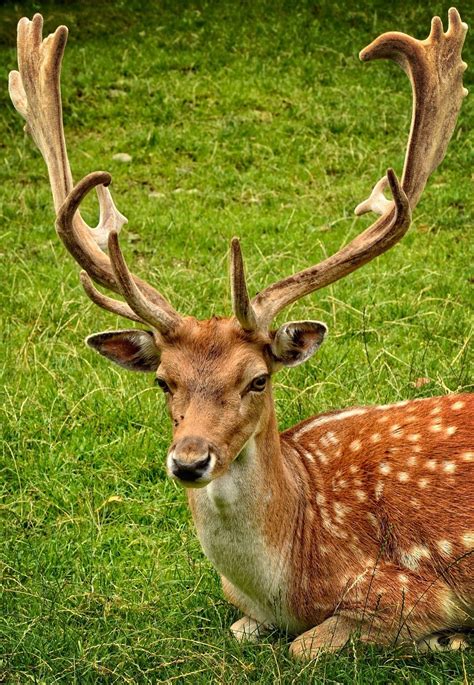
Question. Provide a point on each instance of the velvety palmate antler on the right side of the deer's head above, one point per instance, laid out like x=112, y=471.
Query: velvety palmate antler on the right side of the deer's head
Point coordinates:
x=435, y=69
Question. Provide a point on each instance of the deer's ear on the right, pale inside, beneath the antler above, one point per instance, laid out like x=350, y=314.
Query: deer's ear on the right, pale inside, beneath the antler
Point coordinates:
x=296, y=341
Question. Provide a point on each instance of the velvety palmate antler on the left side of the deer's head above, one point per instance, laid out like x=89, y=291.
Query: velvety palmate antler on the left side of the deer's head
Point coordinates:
x=36, y=94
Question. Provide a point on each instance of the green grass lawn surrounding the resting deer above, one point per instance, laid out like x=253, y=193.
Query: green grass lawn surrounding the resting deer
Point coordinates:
x=254, y=119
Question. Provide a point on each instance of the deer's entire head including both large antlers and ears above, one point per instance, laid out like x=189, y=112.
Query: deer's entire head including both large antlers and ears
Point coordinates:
x=216, y=374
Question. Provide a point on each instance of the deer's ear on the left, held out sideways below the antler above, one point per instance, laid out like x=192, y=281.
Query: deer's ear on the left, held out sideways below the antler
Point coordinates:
x=135, y=350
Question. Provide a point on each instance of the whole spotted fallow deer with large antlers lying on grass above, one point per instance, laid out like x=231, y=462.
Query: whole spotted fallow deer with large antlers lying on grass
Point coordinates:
x=333, y=529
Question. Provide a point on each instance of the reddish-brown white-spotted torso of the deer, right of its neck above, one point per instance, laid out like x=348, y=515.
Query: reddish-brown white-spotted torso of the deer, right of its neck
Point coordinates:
x=412, y=528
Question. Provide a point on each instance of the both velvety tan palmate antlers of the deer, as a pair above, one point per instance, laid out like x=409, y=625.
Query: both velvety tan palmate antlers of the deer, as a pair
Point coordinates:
x=435, y=69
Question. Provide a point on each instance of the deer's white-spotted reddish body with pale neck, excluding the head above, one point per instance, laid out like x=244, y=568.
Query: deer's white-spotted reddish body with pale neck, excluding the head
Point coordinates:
x=371, y=505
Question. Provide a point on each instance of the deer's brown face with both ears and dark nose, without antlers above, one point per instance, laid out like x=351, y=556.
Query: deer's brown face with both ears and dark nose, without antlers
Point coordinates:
x=216, y=380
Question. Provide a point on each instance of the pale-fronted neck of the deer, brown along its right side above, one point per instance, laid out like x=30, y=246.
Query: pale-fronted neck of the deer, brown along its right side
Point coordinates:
x=244, y=519
